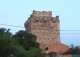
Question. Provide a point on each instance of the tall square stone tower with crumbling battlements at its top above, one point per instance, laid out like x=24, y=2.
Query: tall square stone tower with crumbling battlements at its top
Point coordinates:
x=44, y=26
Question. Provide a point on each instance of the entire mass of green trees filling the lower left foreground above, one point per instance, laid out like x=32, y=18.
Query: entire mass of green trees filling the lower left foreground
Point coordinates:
x=21, y=44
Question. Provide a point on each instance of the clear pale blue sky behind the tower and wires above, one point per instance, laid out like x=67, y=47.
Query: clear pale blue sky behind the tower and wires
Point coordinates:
x=16, y=12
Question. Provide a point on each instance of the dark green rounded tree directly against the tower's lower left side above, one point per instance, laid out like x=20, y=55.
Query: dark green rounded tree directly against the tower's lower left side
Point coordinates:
x=27, y=40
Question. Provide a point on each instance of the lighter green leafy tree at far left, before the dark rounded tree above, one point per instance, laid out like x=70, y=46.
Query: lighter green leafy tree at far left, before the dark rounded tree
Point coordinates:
x=8, y=45
